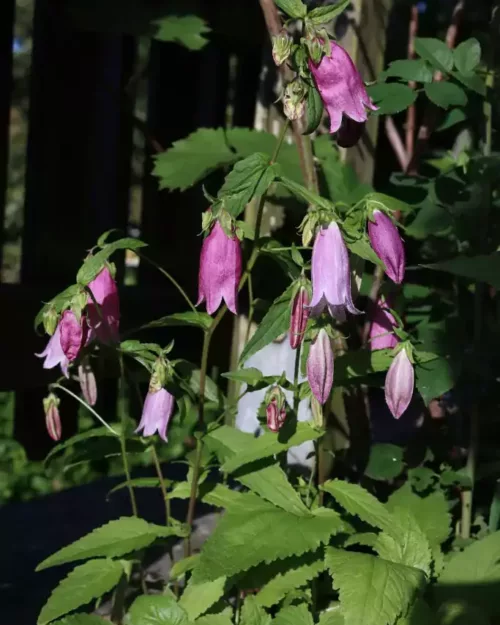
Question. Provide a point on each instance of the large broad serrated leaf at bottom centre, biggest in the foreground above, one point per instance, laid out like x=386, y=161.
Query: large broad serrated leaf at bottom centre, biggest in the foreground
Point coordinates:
x=237, y=545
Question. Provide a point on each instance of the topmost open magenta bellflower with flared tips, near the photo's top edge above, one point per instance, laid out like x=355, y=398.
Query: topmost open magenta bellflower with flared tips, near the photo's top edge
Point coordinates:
x=341, y=88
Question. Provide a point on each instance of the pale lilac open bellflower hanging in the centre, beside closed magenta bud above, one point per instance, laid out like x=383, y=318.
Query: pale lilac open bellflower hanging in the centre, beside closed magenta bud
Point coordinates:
x=331, y=275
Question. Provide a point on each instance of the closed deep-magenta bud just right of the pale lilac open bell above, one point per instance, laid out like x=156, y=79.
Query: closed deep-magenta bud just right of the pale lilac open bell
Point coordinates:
x=387, y=245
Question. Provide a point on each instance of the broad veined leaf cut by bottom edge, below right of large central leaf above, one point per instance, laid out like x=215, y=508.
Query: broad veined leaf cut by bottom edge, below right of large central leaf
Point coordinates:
x=372, y=591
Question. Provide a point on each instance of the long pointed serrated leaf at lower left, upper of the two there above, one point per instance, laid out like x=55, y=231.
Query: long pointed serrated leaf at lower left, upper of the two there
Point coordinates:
x=114, y=539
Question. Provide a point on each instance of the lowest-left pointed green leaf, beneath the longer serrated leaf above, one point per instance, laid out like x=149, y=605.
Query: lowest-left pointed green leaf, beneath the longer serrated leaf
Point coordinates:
x=85, y=582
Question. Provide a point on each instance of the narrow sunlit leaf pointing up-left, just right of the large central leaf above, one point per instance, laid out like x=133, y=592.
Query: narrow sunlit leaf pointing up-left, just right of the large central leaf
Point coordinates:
x=359, y=502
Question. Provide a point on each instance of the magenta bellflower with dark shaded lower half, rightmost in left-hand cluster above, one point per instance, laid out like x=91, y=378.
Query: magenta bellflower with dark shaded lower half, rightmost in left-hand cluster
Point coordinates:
x=105, y=321
